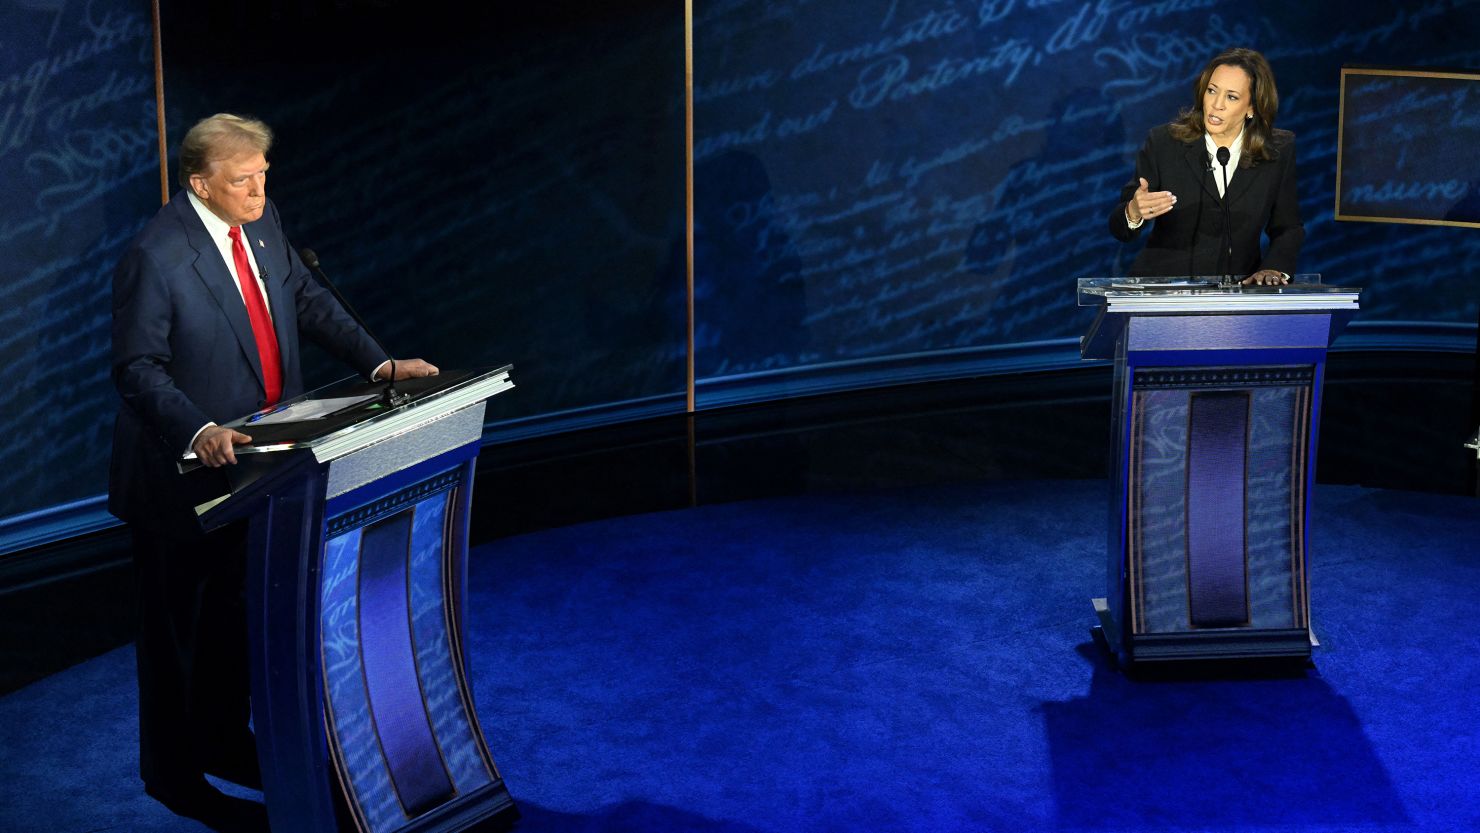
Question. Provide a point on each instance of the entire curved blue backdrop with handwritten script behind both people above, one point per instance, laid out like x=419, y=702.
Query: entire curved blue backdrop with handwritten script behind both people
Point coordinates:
x=884, y=189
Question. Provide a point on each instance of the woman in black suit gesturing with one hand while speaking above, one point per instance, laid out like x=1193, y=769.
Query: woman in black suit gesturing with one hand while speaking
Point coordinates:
x=1179, y=186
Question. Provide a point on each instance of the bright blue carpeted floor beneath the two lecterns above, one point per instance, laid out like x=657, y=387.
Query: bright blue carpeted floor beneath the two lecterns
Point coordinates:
x=902, y=661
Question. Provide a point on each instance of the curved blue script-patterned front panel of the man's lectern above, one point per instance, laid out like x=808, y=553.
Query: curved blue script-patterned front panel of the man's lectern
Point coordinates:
x=402, y=726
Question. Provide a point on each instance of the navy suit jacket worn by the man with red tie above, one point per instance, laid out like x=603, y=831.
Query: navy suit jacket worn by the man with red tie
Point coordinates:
x=184, y=353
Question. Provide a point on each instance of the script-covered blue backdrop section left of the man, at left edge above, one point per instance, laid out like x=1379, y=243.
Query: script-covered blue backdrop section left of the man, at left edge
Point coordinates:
x=79, y=177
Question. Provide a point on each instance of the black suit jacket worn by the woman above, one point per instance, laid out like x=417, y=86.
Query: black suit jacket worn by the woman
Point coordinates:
x=1186, y=242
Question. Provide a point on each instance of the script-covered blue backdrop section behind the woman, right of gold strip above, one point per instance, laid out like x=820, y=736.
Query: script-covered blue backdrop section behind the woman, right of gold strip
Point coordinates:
x=881, y=178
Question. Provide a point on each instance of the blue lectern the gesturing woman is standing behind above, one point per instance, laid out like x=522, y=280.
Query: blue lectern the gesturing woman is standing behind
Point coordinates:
x=1217, y=406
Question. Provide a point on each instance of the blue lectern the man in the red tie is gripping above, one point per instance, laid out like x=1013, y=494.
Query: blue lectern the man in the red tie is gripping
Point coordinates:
x=356, y=587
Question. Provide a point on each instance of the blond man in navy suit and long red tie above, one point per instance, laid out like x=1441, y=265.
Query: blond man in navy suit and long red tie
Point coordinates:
x=209, y=306
